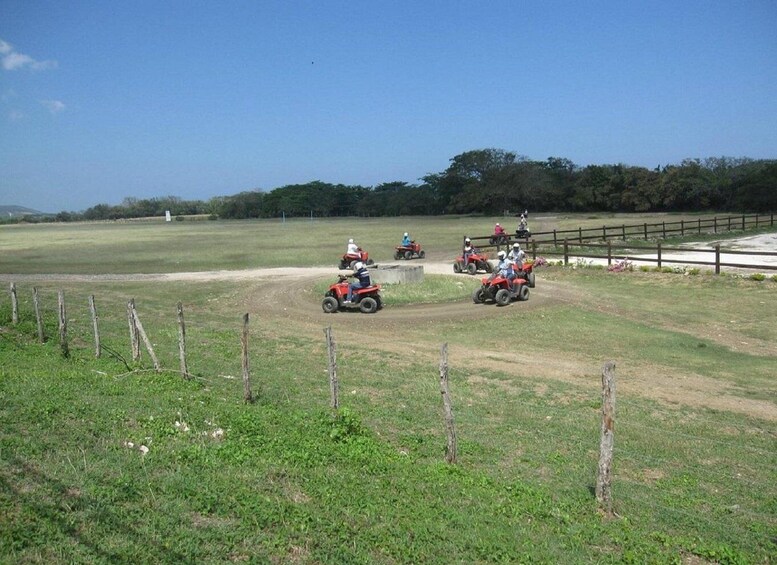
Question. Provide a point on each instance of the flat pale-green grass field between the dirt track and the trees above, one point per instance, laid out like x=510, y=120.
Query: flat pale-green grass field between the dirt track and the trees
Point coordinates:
x=158, y=247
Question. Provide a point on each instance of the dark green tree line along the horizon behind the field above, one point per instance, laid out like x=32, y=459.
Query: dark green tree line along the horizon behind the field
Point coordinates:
x=493, y=181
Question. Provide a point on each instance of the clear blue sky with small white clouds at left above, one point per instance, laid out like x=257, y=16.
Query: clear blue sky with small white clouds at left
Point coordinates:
x=102, y=100
